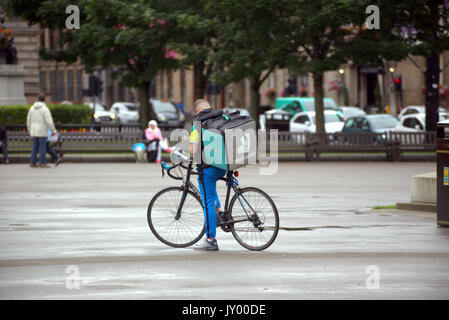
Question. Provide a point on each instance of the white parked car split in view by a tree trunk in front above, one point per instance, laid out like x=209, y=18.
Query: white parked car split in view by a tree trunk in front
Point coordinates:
x=306, y=122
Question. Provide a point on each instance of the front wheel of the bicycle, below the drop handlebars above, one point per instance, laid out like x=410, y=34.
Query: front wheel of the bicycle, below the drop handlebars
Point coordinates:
x=161, y=215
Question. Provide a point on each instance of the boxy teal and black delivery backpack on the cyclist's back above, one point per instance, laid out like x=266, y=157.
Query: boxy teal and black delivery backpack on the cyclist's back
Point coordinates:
x=229, y=140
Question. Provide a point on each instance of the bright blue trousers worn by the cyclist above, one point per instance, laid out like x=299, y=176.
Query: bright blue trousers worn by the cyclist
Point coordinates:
x=207, y=181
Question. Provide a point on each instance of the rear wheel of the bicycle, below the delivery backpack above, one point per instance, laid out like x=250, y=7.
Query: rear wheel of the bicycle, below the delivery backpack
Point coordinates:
x=255, y=219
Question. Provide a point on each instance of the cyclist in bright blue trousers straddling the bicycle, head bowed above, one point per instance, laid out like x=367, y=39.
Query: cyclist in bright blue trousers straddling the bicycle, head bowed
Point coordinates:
x=207, y=177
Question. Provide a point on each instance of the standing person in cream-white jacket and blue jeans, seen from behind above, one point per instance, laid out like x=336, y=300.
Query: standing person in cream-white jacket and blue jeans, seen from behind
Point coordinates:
x=39, y=120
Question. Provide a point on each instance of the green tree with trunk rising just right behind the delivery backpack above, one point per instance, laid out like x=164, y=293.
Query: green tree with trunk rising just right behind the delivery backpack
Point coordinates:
x=249, y=43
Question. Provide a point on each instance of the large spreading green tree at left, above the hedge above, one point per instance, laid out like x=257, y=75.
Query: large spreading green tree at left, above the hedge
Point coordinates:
x=128, y=34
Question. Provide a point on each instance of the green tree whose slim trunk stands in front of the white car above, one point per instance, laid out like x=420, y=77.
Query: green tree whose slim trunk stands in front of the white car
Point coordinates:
x=320, y=35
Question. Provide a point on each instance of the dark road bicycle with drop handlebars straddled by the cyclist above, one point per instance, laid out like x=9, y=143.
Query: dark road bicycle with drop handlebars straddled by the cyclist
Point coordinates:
x=175, y=214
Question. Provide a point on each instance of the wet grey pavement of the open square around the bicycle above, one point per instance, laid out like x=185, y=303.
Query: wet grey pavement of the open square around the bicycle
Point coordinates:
x=79, y=231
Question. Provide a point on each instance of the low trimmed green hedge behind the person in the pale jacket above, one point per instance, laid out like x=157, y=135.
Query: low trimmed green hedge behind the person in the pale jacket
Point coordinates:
x=62, y=114
